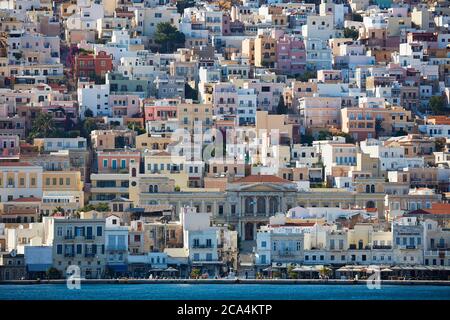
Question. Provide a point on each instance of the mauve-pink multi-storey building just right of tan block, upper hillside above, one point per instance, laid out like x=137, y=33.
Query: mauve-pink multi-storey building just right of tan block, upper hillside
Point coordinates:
x=290, y=55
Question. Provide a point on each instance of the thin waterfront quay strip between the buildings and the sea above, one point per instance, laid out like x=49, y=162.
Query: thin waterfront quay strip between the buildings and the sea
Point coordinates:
x=230, y=281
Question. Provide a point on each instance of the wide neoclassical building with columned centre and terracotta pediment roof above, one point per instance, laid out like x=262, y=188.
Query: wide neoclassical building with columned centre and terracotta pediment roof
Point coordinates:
x=248, y=203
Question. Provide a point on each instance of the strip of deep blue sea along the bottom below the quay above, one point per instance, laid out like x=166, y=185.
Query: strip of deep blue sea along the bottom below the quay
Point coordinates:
x=222, y=291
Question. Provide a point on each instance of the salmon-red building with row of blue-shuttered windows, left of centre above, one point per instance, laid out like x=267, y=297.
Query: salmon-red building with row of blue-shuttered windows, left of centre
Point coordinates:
x=116, y=161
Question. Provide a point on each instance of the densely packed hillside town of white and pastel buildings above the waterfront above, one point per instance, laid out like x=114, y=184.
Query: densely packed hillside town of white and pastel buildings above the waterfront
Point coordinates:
x=224, y=138
